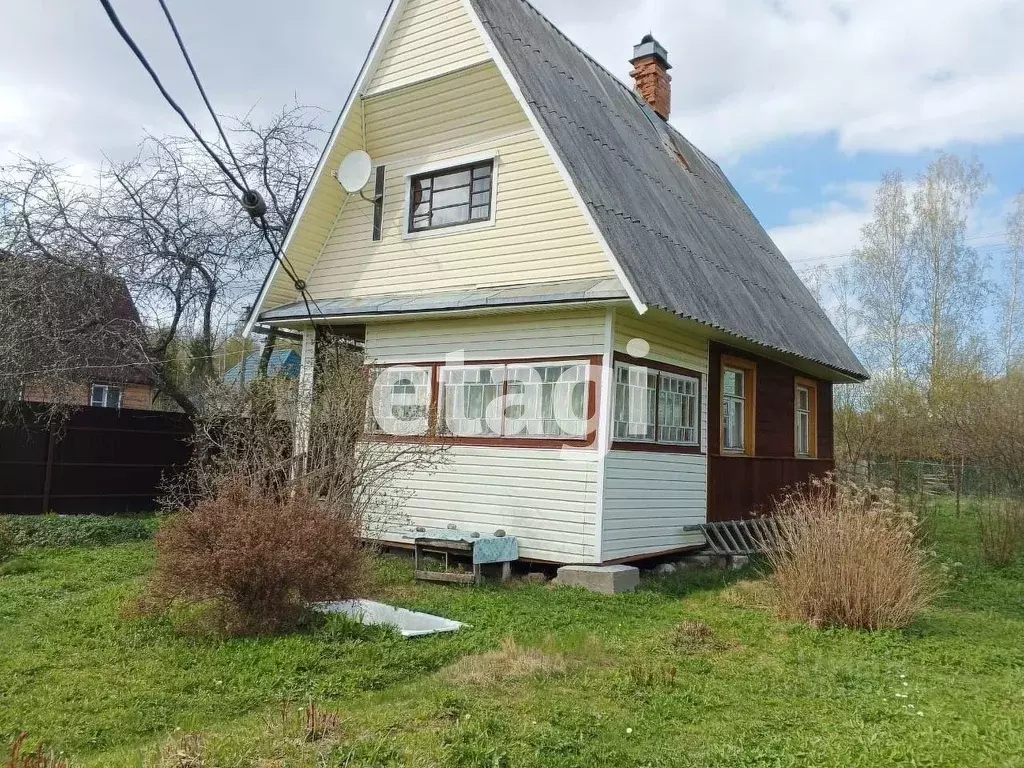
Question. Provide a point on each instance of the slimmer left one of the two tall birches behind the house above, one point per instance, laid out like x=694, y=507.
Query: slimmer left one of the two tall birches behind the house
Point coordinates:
x=883, y=272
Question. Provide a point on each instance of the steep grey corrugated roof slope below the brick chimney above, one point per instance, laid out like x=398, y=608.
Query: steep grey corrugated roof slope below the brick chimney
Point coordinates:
x=685, y=238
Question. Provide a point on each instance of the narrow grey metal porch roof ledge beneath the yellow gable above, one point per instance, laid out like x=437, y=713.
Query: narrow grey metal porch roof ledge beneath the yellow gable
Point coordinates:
x=565, y=292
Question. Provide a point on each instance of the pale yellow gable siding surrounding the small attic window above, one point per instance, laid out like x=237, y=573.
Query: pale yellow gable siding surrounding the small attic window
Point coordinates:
x=538, y=235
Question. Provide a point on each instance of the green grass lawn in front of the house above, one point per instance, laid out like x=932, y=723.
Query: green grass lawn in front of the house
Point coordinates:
x=603, y=681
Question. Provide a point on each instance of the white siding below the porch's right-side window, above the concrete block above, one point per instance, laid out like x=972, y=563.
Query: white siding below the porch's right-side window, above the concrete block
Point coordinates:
x=649, y=498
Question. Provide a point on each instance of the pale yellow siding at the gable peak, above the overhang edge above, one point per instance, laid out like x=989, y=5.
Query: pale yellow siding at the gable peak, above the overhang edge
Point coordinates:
x=433, y=37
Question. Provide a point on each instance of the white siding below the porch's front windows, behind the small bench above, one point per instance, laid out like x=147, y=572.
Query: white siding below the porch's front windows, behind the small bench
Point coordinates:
x=485, y=489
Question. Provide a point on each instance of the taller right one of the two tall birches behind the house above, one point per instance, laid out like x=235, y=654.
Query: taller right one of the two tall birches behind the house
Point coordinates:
x=951, y=275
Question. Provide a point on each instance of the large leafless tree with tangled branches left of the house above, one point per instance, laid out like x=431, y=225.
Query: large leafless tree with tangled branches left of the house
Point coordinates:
x=168, y=225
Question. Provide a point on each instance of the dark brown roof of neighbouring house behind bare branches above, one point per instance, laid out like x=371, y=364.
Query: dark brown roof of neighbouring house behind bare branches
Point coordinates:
x=91, y=323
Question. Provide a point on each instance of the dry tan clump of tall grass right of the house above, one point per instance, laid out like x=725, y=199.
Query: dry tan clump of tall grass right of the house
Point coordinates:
x=848, y=558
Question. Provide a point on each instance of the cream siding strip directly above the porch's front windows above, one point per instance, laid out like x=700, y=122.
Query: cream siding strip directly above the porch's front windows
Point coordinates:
x=542, y=334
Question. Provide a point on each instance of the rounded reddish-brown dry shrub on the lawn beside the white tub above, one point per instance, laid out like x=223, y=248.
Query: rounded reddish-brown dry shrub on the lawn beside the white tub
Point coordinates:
x=257, y=561
